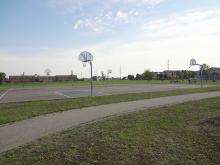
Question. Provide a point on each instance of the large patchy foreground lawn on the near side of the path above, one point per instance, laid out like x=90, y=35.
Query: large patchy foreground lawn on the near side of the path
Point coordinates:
x=188, y=133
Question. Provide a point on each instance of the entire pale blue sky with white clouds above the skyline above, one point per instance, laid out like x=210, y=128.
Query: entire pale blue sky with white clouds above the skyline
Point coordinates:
x=136, y=34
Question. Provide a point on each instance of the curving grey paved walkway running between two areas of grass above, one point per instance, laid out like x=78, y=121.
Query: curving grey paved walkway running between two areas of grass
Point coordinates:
x=19, y=133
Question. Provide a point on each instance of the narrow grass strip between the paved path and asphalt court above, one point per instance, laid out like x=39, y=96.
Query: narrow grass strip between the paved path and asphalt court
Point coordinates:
x=11, y=112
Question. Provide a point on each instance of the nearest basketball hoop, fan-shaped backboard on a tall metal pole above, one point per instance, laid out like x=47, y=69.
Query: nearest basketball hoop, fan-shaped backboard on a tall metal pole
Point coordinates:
x=87, y=57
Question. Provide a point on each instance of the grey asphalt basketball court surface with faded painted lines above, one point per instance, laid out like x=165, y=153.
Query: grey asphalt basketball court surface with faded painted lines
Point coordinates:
x=20, y=95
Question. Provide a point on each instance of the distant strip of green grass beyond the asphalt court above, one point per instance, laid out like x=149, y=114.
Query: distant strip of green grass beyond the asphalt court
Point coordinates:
x=87, y=83
